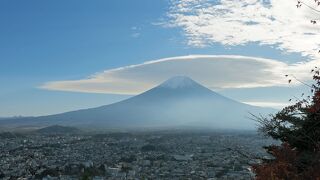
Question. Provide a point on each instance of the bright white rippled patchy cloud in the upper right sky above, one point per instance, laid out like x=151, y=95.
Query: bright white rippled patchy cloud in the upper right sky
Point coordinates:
x=229, y=22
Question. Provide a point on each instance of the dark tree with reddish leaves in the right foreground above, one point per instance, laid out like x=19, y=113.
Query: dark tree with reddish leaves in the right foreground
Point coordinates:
x=298, y=128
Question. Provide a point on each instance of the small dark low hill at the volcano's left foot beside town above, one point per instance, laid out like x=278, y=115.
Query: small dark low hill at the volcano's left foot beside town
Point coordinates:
x=56, y=129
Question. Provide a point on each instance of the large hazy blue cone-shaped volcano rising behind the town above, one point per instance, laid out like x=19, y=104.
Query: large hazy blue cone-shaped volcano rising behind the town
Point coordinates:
x=177, y=102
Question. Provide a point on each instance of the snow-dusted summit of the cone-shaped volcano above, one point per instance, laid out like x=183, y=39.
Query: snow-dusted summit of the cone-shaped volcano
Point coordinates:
x=178, y=82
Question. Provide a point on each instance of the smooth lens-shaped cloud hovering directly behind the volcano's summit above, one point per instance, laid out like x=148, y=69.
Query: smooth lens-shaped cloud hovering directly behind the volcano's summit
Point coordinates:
x=211, y=71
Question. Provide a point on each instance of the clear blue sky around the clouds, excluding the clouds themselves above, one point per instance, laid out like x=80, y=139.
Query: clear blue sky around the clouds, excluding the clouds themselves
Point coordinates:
x=53, y=41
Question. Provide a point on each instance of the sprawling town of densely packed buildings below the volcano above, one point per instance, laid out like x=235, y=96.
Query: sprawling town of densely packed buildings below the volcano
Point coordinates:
x=131, y=155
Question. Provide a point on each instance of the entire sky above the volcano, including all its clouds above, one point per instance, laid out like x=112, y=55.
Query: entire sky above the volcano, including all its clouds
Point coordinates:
x=57, y=56
